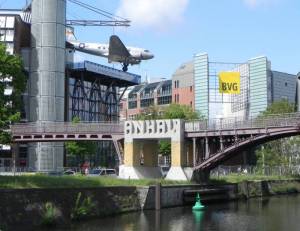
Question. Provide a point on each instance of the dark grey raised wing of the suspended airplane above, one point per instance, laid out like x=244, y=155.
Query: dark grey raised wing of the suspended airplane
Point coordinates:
x=117, y=50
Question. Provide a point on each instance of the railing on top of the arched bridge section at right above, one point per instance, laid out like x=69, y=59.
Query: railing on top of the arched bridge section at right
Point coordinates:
x=276, y=120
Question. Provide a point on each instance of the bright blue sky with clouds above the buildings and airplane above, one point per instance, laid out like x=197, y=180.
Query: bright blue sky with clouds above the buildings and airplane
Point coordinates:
x=174, y=30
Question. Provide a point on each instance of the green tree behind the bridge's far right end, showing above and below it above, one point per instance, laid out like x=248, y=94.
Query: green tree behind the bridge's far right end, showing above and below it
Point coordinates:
x=282, y=151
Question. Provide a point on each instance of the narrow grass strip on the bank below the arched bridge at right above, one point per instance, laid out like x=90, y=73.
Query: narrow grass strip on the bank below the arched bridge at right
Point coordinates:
x=237, y=178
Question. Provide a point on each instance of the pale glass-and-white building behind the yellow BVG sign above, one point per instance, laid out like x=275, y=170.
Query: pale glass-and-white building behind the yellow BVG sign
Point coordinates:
x=260, y=86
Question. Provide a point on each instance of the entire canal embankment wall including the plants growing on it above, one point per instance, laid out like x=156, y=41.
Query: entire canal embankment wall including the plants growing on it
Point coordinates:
x=33, y=207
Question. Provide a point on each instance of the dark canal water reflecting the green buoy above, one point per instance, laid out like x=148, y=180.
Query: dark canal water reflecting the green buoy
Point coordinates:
x=275, y=213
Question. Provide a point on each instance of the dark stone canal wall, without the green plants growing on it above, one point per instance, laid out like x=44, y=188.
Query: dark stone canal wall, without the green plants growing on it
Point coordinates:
x=23, y=208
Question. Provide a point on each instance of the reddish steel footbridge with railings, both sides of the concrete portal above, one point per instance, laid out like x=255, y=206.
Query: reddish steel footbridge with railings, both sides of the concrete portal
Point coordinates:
x=213, y=142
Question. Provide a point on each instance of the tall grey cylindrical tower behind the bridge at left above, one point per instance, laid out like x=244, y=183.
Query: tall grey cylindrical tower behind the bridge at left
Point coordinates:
x=47, y=78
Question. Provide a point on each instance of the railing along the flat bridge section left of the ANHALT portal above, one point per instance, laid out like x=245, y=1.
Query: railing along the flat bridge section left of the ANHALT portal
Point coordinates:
x=66, y=128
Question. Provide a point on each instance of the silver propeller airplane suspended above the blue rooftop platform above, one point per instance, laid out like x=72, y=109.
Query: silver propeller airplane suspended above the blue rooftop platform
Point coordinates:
x=115, y=51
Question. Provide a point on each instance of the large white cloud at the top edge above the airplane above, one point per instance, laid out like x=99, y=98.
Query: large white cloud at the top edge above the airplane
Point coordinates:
x=160, y=14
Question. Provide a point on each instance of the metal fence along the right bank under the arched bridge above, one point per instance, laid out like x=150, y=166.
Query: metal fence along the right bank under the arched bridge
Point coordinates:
x=255, y=170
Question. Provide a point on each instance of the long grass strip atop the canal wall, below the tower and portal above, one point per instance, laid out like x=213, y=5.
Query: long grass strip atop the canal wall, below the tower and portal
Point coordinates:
x=44, y=181
